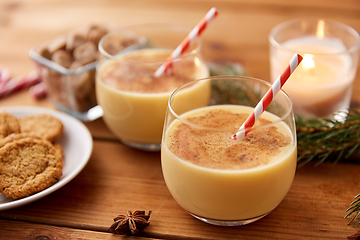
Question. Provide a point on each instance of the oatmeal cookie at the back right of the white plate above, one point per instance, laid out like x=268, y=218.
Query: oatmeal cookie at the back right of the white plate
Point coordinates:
x=41, y=125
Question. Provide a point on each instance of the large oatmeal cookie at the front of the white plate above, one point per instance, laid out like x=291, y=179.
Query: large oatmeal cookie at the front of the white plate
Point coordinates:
x=28, y=166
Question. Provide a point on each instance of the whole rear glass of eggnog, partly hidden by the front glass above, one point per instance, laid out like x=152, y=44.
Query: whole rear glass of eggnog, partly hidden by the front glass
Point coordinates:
x=132, y=97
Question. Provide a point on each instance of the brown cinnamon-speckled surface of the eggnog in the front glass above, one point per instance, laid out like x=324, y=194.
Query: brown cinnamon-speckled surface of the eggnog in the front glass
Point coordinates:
x=214, y=149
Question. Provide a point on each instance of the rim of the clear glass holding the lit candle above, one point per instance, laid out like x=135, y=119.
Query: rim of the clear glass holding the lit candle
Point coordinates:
x=338, y=24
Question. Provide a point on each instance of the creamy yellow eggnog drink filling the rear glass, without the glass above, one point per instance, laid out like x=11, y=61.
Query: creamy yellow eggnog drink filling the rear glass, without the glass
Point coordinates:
x=134, y=100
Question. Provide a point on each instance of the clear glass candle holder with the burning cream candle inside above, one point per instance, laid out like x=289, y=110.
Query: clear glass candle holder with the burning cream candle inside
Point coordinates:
x=322, y=84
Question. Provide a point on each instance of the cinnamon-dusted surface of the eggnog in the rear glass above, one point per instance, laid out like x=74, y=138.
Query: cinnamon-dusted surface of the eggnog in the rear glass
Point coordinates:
x=136, y=73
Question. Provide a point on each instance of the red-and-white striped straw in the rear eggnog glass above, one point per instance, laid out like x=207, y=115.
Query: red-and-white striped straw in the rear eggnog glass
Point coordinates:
x=184, y=45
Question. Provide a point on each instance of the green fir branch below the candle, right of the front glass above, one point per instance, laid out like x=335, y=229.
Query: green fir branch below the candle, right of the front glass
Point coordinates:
x=325, y=139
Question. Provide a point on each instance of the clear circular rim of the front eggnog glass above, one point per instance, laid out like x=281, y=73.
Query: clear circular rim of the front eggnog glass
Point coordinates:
x=182, y=120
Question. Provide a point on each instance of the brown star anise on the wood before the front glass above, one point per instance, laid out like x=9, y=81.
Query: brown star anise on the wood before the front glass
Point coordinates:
x=131, y=223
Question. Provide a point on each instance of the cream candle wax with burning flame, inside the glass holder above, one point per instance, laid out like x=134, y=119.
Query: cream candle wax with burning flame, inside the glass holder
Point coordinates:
x=322, y=84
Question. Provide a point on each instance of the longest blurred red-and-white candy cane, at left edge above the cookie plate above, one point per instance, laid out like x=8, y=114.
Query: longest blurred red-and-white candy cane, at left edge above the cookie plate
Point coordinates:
x=19, y=83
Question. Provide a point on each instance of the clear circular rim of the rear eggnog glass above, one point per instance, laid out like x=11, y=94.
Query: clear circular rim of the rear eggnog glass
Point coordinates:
x=143, y=41
